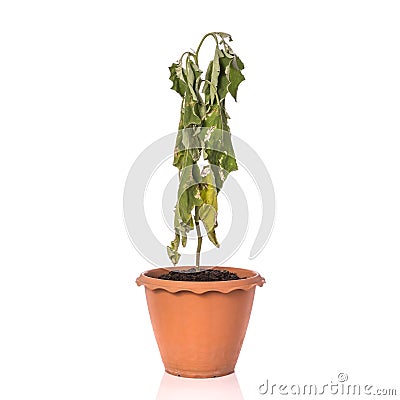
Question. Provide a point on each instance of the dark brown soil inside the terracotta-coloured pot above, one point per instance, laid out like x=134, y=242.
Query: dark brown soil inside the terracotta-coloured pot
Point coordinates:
x=204, y=275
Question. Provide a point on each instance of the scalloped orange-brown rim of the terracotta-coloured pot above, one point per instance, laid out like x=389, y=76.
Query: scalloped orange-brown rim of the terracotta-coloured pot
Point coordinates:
x=150, y=281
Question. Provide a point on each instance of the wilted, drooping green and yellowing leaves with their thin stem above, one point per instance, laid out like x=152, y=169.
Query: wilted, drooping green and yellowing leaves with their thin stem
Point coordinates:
x=203, y=131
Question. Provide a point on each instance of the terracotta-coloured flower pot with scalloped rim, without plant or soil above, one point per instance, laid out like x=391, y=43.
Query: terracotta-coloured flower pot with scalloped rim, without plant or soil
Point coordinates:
x=200, y=326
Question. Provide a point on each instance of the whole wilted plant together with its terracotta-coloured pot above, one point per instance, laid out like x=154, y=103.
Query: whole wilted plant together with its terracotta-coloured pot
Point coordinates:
x=200, y=314
